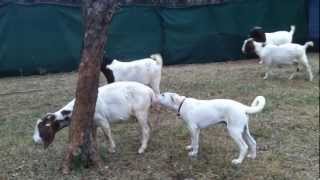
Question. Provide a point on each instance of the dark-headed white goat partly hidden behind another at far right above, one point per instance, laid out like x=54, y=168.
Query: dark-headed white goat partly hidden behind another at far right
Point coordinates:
x=275, y=38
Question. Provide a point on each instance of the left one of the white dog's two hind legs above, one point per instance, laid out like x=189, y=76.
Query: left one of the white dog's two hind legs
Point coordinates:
x=236, y=134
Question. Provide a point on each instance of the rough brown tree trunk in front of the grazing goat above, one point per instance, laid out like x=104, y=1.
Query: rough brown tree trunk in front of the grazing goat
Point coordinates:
x=97, y=16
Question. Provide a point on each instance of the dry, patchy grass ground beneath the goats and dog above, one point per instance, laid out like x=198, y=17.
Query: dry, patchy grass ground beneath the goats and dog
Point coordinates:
x=286, y=131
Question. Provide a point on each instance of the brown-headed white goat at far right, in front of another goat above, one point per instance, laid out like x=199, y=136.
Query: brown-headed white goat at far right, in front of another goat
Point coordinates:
x=286, y=54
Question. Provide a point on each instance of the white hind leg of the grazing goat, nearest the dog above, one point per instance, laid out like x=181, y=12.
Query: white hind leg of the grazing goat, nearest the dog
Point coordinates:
x=142, y=118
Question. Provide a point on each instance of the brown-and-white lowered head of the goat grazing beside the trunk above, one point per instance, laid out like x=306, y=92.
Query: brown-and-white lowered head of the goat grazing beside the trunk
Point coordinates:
x=49, y=125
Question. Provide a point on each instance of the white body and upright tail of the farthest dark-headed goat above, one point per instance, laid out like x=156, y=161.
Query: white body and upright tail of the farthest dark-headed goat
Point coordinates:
x=280, y=37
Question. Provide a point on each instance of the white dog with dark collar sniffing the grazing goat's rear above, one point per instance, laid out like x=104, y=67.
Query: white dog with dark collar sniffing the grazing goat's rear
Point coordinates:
x=201, y=113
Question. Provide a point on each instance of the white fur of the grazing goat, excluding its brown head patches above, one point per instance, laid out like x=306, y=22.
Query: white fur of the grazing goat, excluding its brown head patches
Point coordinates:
x=117, y=102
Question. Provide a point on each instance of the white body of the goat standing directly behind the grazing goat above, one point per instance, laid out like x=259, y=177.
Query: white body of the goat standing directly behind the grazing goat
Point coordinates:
x=146, y=71
